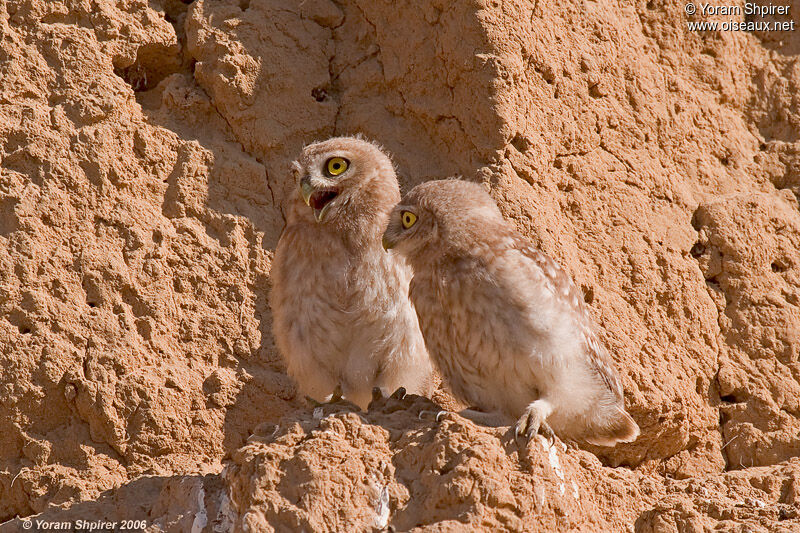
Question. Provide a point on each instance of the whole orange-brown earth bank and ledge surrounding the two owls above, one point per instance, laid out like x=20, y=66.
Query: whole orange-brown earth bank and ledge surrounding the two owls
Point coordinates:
x=144, y=150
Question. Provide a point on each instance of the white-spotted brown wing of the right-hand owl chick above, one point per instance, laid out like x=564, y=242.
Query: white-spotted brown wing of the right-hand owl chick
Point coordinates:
x=565, y=289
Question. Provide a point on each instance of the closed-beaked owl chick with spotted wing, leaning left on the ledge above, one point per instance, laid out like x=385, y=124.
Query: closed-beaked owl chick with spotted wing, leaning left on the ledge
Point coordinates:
x=505, y=326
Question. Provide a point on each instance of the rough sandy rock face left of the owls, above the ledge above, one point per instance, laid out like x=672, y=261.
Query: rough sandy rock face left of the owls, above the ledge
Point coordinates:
x=129, y=303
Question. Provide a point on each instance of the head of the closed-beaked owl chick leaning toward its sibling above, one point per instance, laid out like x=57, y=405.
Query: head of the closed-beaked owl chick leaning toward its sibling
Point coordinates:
x=442, y=216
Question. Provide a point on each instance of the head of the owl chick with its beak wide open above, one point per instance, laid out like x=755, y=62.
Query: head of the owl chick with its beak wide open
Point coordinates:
x=344, y=180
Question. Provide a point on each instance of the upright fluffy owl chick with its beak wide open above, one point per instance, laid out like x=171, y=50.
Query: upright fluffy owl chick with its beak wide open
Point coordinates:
x=342, y=314
